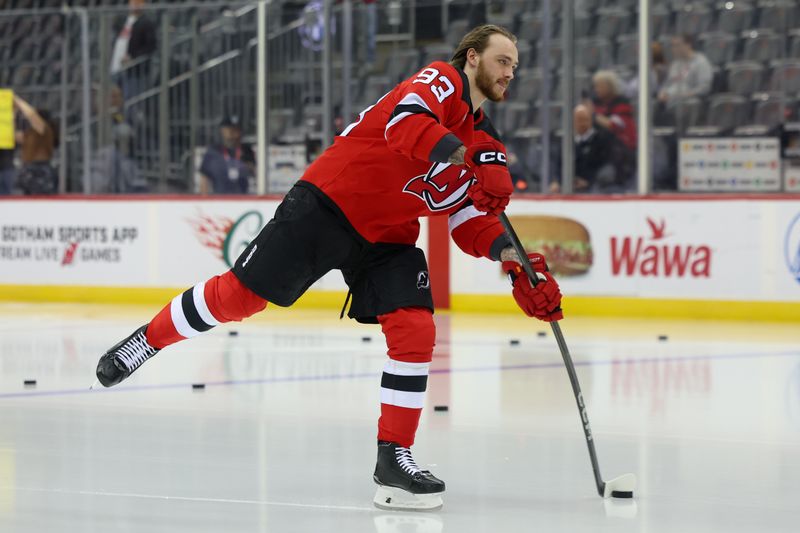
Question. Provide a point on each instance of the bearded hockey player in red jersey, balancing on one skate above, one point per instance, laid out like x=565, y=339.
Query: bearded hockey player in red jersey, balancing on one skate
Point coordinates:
x=424, y=149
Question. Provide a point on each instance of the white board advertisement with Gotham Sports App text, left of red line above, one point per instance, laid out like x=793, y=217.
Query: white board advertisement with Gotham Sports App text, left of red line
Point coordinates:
x=141, y=242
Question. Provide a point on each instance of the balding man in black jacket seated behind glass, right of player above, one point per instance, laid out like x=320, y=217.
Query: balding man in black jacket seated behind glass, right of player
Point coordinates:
x=595, y=149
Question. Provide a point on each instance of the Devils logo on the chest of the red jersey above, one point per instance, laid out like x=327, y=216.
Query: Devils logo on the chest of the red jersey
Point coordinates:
x=443, y=187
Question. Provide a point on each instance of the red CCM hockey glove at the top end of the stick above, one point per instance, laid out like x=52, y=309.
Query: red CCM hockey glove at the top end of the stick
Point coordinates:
x=493, y=188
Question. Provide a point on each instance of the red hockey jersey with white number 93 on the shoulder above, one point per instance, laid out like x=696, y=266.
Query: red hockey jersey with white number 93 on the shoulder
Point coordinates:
x=390, y=167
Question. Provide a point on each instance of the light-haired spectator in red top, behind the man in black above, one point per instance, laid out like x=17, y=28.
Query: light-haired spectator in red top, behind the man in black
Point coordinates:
x=612, y=111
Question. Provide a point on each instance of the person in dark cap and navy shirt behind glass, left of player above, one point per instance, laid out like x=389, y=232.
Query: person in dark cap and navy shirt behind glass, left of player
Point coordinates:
x=228, y=169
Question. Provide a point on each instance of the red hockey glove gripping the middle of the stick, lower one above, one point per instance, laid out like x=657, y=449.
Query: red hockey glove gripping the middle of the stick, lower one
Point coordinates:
x=542, y=301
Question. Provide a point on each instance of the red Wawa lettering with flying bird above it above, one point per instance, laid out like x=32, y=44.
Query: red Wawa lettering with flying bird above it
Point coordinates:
x=656, y=256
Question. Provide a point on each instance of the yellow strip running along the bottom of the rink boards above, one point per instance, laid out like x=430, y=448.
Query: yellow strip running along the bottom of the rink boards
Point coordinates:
x=469, y=303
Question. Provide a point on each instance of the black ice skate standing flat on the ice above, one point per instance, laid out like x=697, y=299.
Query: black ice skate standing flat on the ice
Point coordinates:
x=403, y=485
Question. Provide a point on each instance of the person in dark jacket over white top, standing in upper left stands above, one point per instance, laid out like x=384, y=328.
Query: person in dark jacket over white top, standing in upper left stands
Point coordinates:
x=135, y=43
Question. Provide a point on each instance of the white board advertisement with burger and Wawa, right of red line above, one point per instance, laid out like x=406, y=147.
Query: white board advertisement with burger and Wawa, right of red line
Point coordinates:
x=696, y=249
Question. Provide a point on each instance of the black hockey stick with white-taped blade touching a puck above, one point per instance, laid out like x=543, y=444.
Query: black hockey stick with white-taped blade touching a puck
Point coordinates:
x=619, y=487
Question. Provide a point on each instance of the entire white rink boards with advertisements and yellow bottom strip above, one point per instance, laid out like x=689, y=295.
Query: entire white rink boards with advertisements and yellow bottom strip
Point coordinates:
x=677, y=256
